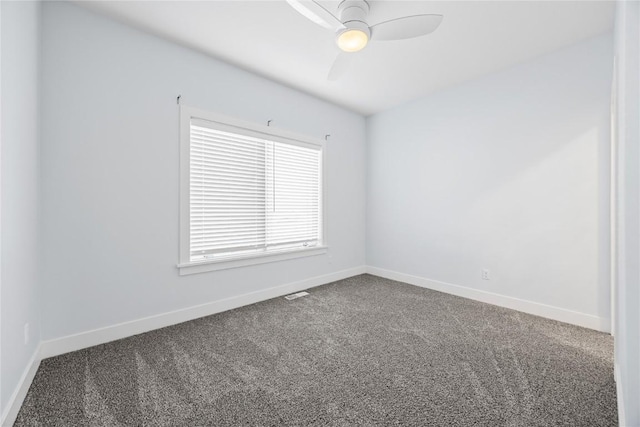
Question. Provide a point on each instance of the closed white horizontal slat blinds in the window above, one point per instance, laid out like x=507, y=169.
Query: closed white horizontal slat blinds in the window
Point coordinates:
x=250, y=195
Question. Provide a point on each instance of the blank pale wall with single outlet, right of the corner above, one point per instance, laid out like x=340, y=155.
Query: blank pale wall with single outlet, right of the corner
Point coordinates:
x=509, y=172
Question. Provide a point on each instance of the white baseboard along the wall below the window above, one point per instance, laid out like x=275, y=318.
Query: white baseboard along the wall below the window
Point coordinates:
x=111, y=333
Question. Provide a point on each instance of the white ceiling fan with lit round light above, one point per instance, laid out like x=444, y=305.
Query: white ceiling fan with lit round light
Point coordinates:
x=353, y=33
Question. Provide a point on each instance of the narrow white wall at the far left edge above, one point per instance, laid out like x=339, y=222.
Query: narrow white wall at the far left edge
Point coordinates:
x=19, y=191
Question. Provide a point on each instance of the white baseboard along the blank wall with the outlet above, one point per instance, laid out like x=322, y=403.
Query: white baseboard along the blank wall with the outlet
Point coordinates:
x=556, y=313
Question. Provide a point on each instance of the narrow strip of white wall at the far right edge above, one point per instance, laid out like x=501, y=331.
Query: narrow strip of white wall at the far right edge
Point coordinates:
x=627, y=123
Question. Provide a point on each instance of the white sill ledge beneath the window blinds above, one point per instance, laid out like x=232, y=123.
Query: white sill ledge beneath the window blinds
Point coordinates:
x=223, y=264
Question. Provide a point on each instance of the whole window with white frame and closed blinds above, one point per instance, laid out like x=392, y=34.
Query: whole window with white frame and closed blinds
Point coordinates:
x=249, y=194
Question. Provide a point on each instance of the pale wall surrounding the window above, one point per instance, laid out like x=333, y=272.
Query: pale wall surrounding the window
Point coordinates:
x=110, y=172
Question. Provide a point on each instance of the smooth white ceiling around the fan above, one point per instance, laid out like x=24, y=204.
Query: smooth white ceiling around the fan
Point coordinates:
x=273, y=40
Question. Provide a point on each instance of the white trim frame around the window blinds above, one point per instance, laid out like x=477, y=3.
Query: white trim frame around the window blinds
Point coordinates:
x=185, y=265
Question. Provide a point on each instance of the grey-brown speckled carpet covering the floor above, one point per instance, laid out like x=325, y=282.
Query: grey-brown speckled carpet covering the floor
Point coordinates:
x=362, y=351
